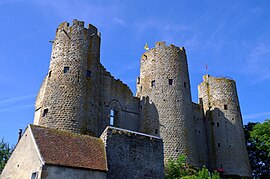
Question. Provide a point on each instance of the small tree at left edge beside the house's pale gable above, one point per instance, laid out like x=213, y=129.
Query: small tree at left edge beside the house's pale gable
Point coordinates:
x=5, y=152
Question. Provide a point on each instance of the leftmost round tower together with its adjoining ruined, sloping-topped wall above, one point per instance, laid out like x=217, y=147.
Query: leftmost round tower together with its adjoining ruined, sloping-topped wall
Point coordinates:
x=78, y=93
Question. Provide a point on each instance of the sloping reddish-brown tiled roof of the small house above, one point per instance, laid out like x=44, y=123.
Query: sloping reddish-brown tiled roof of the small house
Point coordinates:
x=69, y=149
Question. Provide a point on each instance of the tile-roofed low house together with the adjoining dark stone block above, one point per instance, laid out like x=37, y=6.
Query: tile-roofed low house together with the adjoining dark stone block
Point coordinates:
x=45, y=153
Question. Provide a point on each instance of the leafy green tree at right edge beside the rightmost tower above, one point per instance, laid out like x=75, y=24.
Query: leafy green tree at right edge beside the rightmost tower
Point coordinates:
x=258, y=146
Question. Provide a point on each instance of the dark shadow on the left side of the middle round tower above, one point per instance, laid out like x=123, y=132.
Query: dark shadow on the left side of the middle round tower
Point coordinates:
x=149, y=119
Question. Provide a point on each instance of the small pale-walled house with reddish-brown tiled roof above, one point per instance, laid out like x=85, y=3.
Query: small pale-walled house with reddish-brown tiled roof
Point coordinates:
x=49, y=153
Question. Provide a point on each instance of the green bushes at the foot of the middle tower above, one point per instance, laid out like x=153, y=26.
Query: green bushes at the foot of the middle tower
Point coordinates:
x=178, y=168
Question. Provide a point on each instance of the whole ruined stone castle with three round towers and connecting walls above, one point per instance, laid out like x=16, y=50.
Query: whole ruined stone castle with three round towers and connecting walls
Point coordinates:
x=79, y=95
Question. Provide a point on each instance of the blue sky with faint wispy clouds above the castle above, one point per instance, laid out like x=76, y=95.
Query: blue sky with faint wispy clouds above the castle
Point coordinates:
x=231, y=37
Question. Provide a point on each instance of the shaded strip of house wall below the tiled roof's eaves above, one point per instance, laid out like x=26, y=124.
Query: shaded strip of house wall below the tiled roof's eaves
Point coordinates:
x=53, y=172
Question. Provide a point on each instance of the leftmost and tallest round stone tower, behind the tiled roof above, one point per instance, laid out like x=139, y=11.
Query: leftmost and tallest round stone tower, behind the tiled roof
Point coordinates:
x=68, y=98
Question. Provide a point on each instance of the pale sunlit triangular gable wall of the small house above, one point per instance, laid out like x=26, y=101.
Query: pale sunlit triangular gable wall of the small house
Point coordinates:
x=24, y=159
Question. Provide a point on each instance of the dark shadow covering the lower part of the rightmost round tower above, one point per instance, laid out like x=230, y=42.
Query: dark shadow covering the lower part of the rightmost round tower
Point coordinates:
x=226, y=142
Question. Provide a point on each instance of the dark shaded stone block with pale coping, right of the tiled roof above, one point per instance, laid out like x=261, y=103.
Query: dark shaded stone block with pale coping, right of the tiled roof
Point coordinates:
x=132, y=154
